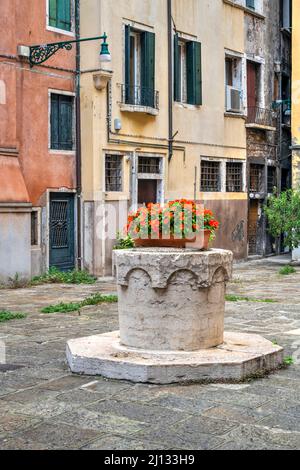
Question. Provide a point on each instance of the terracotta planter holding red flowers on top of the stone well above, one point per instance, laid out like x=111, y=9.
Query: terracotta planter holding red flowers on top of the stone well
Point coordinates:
x=199, y=242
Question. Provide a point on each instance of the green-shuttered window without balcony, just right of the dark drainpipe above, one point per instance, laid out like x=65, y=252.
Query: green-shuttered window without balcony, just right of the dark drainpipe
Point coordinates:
x=187, y=71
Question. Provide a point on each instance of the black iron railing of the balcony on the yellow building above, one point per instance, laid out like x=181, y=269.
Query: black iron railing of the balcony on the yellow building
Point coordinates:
x=140, y=96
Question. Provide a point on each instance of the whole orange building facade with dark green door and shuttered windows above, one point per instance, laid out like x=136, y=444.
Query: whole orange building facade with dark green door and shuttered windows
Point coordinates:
x=37, y=140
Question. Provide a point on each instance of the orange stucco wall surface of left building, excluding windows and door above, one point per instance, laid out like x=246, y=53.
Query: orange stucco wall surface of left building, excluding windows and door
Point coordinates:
x=24, y=114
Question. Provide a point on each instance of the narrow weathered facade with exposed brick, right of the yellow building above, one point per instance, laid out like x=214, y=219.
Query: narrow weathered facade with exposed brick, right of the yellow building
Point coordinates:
x=268, y=123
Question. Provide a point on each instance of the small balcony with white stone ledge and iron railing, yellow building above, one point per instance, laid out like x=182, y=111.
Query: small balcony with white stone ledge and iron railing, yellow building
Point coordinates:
x=137, y=99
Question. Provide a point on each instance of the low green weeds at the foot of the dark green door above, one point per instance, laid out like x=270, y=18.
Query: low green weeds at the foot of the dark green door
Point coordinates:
x=55, y=276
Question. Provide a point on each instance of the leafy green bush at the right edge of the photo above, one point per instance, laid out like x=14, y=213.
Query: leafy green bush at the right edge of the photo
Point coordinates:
x=283, y=213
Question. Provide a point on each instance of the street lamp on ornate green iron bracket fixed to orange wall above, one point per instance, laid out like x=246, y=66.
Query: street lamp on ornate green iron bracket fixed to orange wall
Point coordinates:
x=41, y=53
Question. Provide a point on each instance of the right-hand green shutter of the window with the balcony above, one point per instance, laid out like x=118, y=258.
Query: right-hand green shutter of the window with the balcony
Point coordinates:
x=147, y=69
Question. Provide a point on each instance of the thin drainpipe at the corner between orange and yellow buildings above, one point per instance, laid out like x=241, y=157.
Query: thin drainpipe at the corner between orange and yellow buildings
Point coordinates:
x=78, y=137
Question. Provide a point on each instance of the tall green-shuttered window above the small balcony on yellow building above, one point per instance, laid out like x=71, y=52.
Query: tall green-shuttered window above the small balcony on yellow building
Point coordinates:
x=139, y=68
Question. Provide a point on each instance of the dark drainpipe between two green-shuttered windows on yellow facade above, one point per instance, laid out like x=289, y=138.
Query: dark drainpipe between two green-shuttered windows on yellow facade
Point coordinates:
x=170, y=77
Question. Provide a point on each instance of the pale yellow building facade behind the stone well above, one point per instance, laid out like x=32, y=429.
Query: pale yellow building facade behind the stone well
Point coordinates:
x=154, y=125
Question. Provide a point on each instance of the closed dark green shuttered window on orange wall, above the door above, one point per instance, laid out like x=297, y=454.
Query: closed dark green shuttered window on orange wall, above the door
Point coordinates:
x=62, y=122
